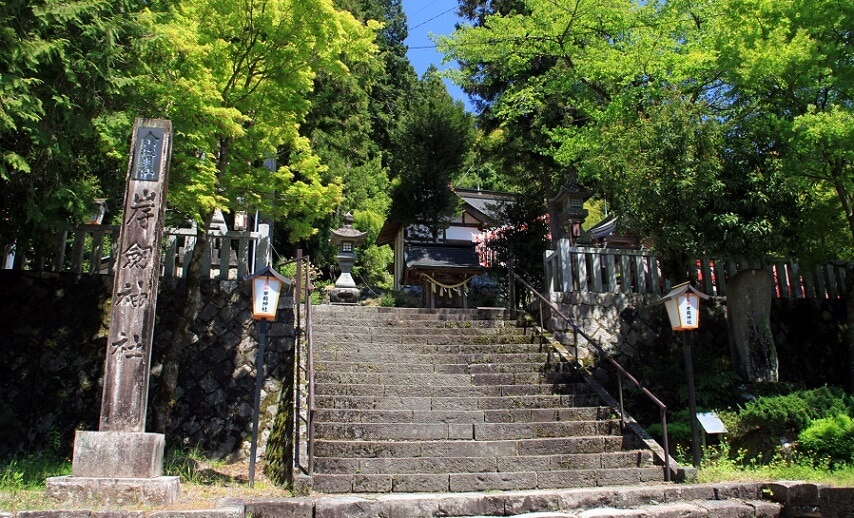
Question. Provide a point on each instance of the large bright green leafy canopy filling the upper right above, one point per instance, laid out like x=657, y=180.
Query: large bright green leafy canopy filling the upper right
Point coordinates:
x=702, y=123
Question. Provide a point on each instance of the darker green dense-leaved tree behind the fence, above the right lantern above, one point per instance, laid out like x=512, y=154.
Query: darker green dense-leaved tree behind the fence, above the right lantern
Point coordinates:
x=668, y=153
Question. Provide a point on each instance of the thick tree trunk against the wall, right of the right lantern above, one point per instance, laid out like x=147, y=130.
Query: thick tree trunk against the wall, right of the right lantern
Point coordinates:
x=749, y=297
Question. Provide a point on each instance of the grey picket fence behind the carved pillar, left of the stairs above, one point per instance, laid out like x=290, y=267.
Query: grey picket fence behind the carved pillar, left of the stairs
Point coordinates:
x=88, y=249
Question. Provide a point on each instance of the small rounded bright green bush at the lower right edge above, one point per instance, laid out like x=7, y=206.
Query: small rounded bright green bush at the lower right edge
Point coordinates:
x=829, y=441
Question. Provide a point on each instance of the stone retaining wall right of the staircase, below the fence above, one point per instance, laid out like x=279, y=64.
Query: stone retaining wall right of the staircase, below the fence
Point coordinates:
x=809, y=334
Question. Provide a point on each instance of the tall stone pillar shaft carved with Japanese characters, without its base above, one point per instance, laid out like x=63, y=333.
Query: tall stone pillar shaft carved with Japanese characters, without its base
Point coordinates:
x=128, y=357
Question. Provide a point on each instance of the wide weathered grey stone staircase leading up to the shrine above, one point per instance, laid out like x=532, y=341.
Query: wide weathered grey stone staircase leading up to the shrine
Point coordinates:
x=415, y=400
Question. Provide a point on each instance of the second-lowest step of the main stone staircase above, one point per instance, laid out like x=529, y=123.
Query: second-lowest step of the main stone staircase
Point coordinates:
x=435, y=465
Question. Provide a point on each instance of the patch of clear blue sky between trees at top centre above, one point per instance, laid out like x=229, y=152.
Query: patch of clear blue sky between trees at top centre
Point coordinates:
x=426, y=17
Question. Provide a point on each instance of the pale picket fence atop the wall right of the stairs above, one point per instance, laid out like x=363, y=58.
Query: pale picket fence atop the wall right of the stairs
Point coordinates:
x=603, y=270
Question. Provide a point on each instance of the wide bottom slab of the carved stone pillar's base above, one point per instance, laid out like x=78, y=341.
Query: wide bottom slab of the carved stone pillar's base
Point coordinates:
x=160, y=491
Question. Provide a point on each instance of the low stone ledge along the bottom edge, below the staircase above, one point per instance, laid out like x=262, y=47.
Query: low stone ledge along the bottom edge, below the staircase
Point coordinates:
x=719, y=500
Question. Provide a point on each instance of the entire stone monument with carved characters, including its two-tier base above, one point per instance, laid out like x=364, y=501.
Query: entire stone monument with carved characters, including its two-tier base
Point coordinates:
x=121, y=463
